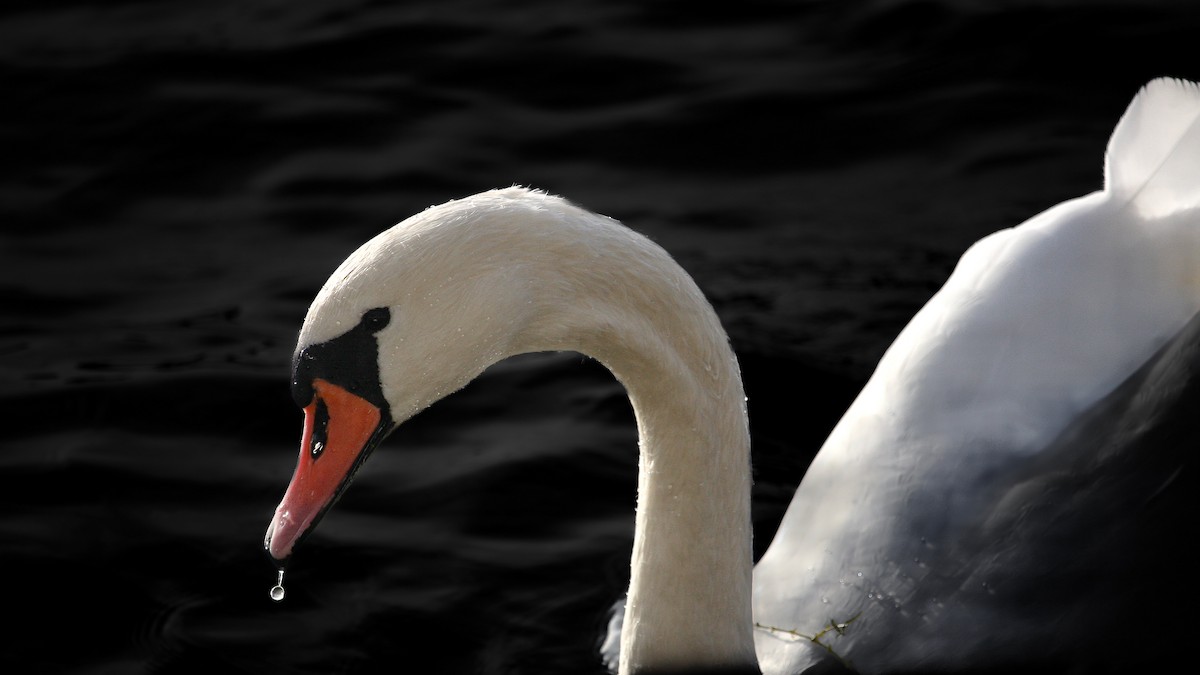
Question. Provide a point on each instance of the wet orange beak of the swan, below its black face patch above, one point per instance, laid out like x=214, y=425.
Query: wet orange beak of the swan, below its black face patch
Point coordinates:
x=340, y=429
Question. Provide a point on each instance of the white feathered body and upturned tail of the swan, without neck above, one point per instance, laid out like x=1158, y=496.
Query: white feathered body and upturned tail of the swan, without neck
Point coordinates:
x=1036, y=325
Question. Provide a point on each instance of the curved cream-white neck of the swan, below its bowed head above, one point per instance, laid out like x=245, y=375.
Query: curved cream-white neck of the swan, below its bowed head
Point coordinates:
x=691, y=590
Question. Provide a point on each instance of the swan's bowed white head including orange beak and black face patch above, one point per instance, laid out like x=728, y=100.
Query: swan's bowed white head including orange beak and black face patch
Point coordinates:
x=412, y=316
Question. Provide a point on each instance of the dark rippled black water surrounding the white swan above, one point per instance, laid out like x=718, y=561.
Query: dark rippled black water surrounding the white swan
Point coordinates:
x=181, y=178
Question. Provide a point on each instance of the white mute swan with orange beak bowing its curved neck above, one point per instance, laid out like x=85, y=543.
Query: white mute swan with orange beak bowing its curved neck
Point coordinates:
x=962, y=512
